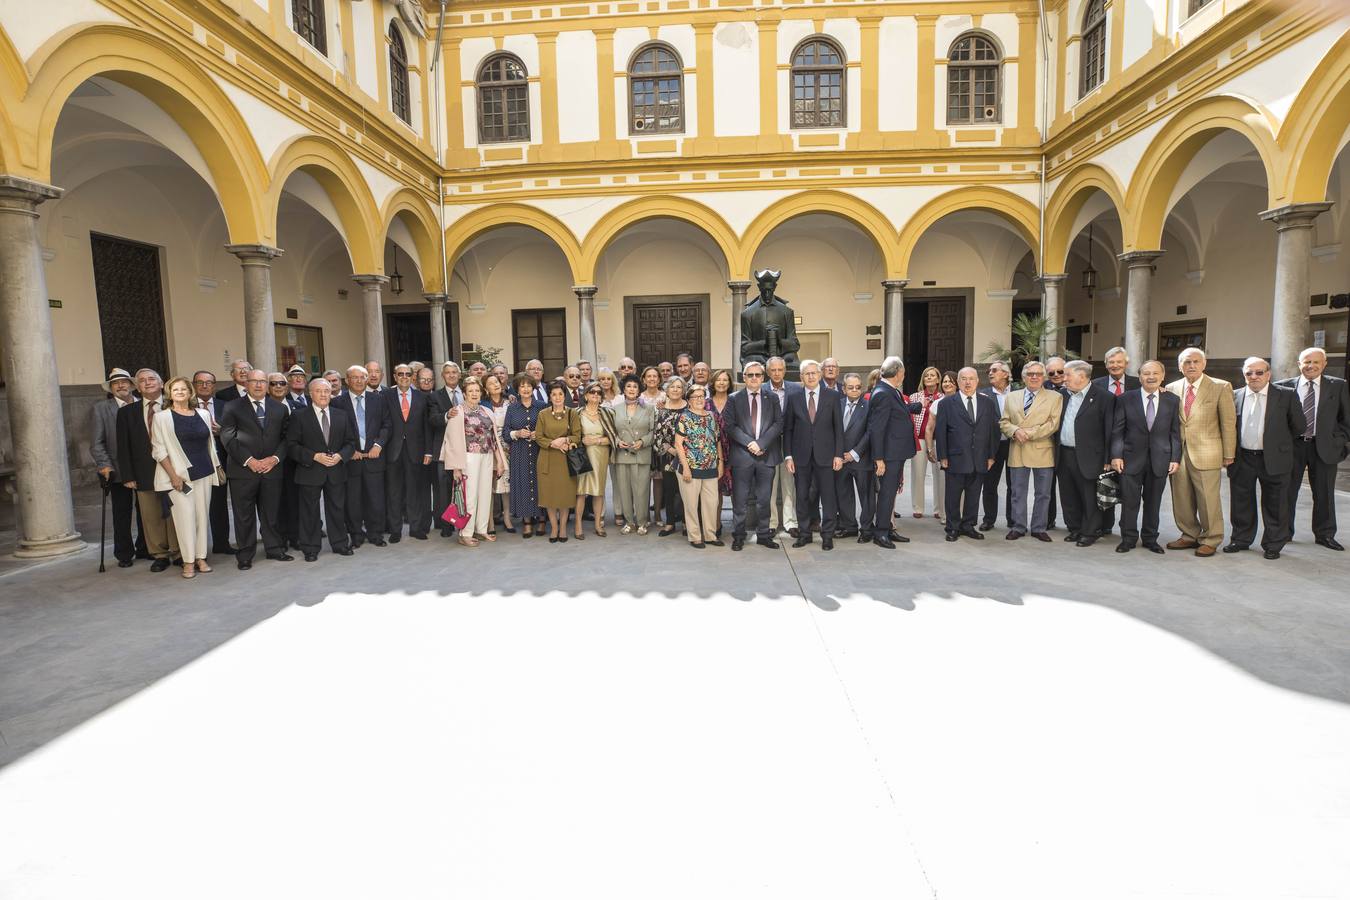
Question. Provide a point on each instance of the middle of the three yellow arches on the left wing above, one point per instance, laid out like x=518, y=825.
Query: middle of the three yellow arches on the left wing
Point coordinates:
x=330, y=165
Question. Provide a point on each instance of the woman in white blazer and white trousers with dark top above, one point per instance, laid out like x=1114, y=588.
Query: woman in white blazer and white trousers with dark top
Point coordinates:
x=183, y=443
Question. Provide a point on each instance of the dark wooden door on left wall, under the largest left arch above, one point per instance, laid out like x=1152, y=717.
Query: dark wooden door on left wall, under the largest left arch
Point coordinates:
x=132, y=307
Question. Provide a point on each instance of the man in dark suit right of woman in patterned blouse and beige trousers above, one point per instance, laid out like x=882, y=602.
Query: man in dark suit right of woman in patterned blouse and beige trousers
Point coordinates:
x=754, y=424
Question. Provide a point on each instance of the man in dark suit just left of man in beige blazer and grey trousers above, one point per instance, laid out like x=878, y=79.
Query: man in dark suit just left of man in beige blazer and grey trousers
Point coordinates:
x=967, y=439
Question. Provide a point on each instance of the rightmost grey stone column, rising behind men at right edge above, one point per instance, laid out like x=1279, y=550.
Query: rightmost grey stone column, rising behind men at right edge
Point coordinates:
x=1291, y=331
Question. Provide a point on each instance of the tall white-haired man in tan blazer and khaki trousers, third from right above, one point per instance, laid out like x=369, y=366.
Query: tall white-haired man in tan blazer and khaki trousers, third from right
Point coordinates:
x=1209, y=445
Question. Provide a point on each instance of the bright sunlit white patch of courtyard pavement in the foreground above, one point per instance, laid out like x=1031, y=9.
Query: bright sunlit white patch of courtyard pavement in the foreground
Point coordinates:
x=691, y=747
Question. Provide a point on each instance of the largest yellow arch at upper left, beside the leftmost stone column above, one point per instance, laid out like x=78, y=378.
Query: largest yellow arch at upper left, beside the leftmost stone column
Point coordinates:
x=172, y=82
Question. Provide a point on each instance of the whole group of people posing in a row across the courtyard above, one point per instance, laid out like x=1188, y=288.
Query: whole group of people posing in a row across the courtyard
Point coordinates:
x=352, y=459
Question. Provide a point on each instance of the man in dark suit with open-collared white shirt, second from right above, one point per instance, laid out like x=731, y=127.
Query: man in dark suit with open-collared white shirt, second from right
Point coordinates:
x=1270, y=423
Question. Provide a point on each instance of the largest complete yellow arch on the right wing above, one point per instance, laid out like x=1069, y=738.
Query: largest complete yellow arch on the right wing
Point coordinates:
x=1172, y=150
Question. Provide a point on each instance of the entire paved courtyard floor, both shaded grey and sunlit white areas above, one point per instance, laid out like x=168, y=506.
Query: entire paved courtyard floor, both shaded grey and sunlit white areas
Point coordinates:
x=628, y=719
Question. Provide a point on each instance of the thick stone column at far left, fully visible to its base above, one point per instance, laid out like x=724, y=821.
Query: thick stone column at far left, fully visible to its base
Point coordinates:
x=47, y=515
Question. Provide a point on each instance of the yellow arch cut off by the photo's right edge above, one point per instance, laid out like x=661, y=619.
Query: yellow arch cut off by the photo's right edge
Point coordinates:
x=1318, y=119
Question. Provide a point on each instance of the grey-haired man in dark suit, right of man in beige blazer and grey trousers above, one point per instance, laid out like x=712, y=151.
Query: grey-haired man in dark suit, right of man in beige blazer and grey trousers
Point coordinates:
x=1086, y=428
